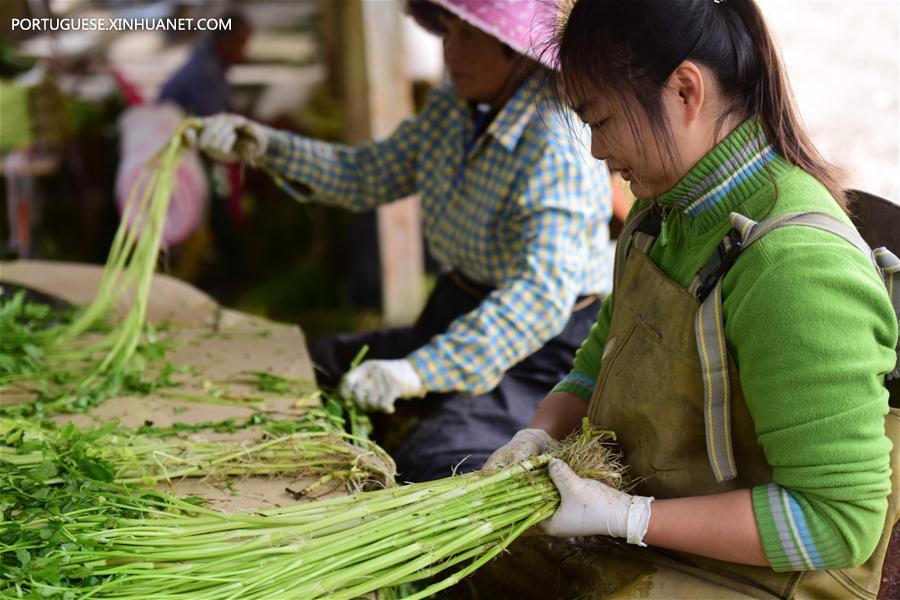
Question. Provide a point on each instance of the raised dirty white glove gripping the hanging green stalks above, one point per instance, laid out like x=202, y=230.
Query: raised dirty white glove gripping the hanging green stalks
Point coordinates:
x=230, y=138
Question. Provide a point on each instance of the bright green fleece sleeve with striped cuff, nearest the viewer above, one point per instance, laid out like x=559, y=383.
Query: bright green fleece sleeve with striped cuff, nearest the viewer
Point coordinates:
x=813, y=332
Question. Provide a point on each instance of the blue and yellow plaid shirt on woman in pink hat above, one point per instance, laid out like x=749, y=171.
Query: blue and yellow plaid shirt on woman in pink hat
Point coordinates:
x=525, y=210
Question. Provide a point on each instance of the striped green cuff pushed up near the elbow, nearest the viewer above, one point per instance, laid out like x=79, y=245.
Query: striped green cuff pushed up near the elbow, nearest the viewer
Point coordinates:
x=786, y=532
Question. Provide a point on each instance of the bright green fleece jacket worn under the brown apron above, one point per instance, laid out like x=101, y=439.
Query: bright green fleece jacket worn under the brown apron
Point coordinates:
x=811, y=328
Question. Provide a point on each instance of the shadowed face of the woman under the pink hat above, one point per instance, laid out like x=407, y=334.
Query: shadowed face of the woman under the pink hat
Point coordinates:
x=478, y=64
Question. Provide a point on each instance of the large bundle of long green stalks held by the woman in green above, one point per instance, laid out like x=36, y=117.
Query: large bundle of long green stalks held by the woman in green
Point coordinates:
x=336, y=548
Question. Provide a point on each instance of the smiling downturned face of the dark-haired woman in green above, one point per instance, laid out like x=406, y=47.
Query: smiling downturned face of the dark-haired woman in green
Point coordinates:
x=626, y=140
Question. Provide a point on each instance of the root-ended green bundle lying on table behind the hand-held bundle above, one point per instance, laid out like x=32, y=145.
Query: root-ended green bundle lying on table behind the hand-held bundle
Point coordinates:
x=112, y=453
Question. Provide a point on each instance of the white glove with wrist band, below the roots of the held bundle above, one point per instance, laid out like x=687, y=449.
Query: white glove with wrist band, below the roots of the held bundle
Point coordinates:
x=589, y=507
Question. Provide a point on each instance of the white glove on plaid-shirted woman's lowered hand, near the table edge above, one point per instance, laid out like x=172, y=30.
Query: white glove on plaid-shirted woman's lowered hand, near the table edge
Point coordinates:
x=376, y=384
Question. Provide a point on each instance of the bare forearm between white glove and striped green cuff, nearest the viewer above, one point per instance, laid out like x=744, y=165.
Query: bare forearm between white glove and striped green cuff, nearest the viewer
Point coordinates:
x=720, y=526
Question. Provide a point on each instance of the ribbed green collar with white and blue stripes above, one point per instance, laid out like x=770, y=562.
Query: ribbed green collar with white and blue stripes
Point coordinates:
x=736, y=168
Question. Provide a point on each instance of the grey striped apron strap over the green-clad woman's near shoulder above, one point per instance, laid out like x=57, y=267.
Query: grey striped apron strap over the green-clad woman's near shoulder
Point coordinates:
x=709, y=327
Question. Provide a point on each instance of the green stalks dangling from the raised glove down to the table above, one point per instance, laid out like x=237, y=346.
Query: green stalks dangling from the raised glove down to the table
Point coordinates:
x=80, y=362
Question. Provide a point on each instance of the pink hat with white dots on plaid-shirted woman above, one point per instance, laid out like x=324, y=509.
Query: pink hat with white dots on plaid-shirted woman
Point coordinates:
x=523, y=25
